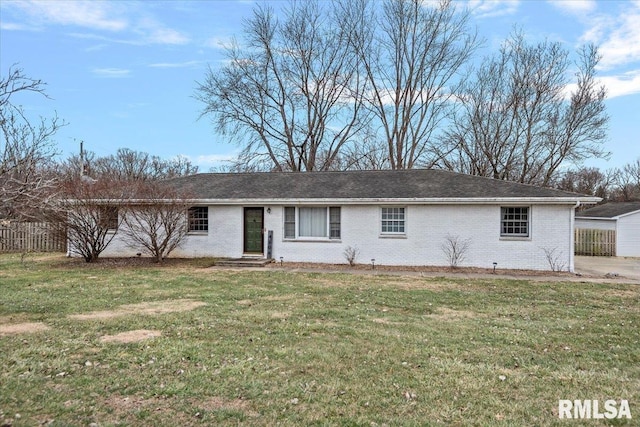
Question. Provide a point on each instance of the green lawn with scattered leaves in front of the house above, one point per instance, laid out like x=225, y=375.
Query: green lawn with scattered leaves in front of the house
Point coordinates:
x=271, y=347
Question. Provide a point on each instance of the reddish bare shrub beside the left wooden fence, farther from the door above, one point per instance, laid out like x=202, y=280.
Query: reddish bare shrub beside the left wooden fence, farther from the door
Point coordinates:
x=90, y=213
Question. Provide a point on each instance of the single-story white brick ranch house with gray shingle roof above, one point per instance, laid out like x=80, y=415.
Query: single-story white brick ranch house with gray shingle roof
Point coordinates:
x=395, y=217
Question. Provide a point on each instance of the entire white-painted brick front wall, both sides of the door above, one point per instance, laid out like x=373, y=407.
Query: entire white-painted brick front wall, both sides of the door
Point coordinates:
x=426, y=229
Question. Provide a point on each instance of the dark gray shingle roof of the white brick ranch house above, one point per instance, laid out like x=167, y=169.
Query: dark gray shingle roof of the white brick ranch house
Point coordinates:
x=381, y=184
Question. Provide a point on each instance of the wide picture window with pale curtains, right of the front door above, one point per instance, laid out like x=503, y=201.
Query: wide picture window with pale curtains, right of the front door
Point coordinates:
x=311, y=222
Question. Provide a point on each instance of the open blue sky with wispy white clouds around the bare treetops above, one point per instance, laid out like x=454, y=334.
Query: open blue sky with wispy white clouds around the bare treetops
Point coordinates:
x=123, y=73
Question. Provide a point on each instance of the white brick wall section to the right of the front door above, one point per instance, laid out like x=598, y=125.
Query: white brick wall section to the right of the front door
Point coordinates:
x=427, y=228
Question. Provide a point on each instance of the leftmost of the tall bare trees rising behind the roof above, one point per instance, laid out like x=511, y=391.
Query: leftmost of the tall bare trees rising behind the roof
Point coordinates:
x=291, y=96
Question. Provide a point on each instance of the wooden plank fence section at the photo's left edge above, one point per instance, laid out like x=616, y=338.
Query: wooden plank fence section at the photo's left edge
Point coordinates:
x=32, y=237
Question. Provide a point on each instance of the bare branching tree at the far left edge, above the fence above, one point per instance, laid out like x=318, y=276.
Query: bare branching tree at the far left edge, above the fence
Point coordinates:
x=26, y=148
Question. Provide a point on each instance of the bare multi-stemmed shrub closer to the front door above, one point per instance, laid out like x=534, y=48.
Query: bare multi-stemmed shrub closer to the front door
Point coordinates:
x=156, y=221
